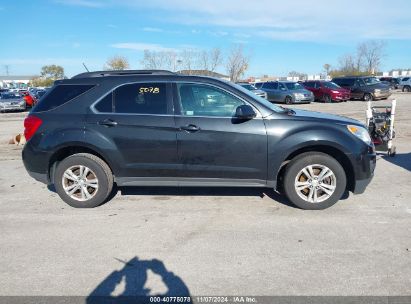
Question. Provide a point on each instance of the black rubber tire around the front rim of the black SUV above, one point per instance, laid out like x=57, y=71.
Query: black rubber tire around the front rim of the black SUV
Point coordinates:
x=313, y=158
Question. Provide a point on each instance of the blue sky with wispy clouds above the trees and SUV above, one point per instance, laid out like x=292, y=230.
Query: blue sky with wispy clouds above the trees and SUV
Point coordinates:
x=279, y=36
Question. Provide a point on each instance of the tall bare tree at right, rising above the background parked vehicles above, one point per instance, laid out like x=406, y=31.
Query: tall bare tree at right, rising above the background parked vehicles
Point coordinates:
x=371, y=53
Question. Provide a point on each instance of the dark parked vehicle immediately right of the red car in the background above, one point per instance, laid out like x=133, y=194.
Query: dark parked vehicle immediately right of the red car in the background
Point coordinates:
x=364, y=87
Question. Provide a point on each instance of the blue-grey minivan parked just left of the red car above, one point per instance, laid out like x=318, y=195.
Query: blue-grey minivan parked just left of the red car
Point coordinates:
x=287, y=92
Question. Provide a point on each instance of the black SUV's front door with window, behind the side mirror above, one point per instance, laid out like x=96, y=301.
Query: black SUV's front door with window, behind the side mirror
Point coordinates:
x=212, y=144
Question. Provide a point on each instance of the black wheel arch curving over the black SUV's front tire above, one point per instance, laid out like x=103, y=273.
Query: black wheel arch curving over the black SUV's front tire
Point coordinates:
x=329, y=150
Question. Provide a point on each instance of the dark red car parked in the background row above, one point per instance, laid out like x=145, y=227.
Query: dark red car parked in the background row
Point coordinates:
x=327, y=91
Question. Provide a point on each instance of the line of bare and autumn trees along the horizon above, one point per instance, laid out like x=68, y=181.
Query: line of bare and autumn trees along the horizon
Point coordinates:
x=366, y=60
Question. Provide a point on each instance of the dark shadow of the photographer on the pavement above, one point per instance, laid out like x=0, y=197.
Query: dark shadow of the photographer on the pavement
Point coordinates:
x=133, y=276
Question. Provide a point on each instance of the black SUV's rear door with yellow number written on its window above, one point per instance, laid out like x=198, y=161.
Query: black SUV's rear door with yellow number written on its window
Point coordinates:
x=137, y=119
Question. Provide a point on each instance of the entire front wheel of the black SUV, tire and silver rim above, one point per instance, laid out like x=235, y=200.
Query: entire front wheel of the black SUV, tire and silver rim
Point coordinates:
x=314, y=181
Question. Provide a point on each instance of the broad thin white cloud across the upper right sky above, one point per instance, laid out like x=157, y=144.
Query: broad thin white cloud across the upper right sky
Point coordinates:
x=299, y=20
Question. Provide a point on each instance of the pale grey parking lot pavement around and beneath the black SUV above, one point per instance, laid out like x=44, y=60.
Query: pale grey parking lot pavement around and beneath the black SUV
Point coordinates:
x=208, y=241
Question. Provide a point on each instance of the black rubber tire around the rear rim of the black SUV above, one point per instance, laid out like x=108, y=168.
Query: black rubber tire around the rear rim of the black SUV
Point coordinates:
x=101, y=171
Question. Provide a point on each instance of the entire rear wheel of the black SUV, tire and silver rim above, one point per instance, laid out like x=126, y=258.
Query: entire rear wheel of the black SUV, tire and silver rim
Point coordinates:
x=83, y=180
